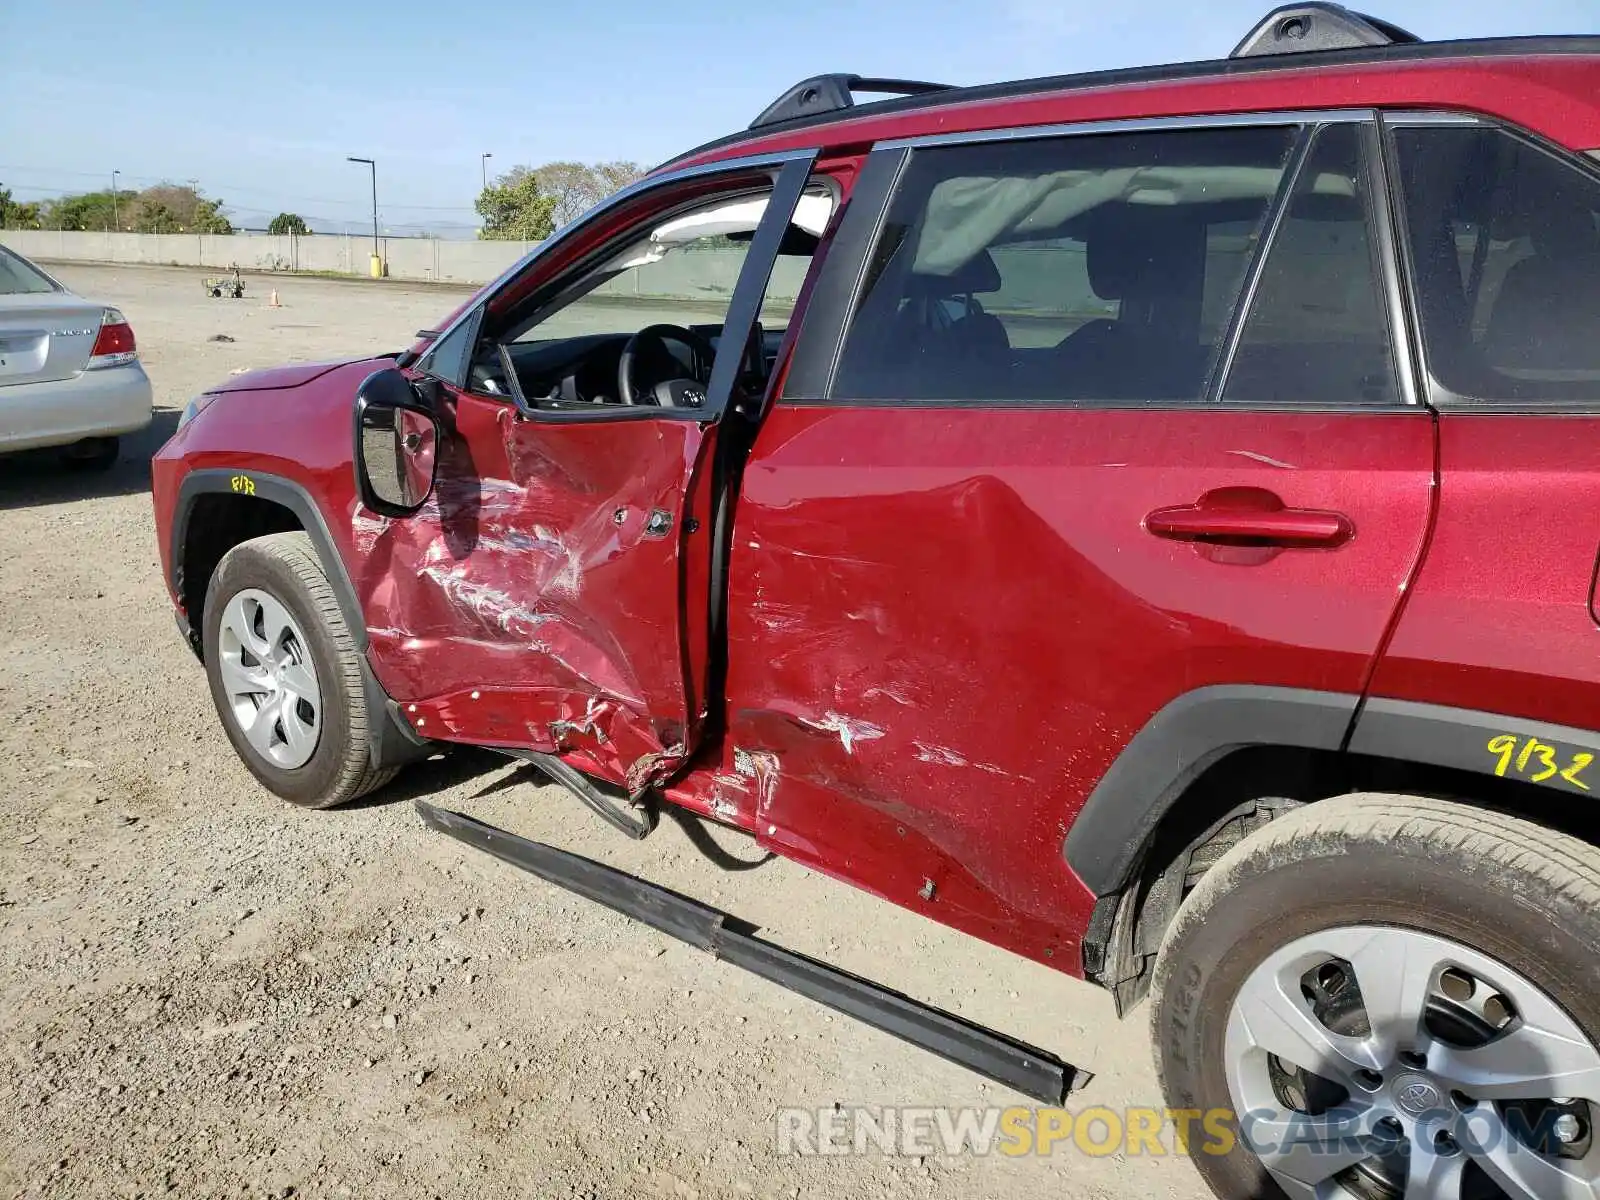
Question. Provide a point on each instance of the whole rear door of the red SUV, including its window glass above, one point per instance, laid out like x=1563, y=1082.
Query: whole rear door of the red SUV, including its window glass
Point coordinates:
x=951, y=615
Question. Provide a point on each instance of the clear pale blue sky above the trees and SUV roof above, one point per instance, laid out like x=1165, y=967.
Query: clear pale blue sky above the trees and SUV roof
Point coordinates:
x=263, y=103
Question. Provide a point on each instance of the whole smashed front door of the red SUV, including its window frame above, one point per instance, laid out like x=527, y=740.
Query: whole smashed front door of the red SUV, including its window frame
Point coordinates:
x=553, y=594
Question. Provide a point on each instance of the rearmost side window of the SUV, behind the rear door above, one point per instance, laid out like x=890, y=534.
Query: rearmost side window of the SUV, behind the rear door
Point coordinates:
x=1506, y=247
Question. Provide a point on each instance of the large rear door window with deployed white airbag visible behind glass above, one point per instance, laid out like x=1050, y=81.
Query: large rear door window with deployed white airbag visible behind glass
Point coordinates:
x=1090, y=268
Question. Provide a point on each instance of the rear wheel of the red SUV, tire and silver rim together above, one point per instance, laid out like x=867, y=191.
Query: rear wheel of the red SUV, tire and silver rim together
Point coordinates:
x=1415, y=890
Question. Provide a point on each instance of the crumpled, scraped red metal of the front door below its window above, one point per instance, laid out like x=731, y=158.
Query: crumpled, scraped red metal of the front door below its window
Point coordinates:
x=542, y=543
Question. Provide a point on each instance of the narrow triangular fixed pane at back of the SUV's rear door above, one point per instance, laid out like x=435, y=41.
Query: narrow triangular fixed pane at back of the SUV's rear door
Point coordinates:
x=1318, y=330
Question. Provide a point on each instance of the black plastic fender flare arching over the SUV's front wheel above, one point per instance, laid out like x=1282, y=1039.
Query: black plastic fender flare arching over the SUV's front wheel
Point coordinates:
x=398, y=742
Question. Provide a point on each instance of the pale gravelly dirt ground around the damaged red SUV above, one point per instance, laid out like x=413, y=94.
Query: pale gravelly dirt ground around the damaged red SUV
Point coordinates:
x=209, y=993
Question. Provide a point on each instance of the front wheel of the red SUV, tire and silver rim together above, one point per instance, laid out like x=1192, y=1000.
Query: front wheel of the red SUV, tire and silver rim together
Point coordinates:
x=287, y=676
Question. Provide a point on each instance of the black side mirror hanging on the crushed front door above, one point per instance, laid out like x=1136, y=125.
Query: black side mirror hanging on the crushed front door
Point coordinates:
x=396, y=446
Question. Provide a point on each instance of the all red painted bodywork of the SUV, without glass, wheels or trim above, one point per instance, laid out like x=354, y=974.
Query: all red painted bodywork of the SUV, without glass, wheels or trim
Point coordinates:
x=945, y=626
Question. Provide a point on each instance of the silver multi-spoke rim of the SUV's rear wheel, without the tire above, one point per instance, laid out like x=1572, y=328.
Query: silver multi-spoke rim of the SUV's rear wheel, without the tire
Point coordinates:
x=1375, y=1063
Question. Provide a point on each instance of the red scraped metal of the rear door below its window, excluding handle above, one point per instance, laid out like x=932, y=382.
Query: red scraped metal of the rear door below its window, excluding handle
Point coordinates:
x=950, y=623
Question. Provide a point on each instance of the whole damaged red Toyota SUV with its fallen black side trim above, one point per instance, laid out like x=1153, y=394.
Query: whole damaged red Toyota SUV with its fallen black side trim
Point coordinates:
x=1146, y=521
